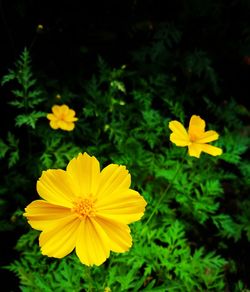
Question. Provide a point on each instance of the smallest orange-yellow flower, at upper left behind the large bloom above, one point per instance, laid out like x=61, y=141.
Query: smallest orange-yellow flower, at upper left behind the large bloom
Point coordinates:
x=62, y=117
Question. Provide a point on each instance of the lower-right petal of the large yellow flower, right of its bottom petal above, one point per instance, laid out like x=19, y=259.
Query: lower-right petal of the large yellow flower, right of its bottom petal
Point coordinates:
x=119, y=238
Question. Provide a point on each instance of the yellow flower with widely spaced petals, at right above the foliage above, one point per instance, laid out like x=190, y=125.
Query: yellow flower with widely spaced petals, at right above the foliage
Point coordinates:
x=195, y=138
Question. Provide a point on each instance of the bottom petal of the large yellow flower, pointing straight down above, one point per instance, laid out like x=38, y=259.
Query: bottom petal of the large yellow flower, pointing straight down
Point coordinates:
x=92, y=245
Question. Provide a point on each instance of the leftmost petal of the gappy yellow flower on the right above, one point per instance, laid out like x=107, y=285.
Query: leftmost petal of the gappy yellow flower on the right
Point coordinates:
x=180, y=135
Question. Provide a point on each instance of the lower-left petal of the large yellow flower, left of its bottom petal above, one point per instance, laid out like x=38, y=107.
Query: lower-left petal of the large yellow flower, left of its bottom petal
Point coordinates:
x=61, y=240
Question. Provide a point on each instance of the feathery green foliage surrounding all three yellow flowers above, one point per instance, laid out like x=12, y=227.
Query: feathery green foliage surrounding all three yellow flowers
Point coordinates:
x=123, y=115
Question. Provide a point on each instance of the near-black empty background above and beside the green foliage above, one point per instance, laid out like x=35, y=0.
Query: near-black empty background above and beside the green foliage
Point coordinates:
x=75, y=33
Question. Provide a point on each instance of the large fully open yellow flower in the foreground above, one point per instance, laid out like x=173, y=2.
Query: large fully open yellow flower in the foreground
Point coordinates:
x=86, y=209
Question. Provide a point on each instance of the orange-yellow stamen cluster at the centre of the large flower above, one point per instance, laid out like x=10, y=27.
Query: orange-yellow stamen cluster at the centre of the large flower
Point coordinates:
x=84, y=208
